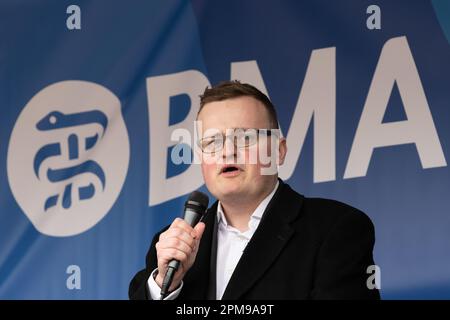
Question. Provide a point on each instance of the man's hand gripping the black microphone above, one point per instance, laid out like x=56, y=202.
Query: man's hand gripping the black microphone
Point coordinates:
x=179, y=242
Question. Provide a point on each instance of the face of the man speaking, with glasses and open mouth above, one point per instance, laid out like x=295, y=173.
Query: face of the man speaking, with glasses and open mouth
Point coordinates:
x=248, y=181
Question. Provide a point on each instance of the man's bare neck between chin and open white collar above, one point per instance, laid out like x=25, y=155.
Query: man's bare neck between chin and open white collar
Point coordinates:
x=239, y=211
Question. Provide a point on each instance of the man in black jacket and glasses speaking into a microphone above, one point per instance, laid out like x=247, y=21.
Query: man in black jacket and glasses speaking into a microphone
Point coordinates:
x=261, y=239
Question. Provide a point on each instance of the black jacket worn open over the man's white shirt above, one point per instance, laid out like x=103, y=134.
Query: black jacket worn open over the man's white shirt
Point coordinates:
x=304, y=248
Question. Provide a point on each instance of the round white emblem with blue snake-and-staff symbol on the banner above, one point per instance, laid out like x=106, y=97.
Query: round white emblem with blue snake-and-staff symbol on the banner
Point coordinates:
x=68, y=157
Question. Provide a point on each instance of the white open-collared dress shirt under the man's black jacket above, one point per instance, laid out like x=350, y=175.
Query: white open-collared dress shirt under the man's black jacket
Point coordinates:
x=230, y=245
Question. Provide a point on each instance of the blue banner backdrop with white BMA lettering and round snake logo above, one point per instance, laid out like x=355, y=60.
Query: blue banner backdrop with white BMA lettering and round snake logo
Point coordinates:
x=86, y=111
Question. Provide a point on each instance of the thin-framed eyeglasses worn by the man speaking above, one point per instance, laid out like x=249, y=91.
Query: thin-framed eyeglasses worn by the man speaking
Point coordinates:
x=242, y=138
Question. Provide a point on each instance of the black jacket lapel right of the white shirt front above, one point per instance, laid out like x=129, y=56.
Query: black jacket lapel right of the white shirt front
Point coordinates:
x=272, y=235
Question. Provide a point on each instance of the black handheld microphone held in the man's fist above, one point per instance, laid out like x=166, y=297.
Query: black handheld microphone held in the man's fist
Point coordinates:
x=194, y=208
